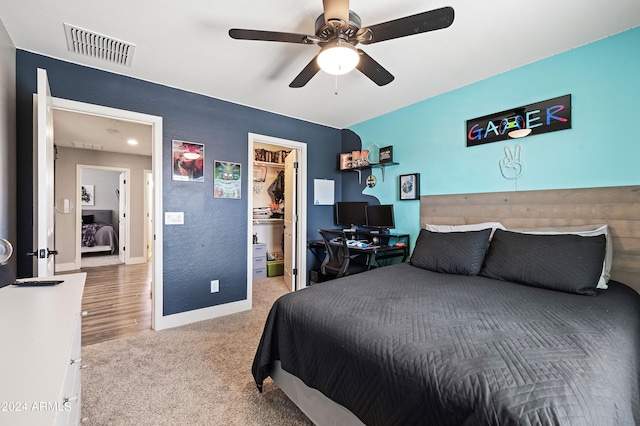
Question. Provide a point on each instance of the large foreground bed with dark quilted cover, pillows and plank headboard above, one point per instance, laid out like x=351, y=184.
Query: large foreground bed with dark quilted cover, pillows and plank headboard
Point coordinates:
x=482, y=326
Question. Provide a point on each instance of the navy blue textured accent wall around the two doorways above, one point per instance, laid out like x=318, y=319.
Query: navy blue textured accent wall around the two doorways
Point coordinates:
x=211, y=244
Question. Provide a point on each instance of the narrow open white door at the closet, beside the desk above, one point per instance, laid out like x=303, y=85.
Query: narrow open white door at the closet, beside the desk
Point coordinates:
x=290, y=219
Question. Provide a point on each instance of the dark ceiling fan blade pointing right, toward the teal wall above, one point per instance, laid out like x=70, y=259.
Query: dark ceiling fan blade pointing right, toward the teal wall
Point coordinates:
x=415, y=24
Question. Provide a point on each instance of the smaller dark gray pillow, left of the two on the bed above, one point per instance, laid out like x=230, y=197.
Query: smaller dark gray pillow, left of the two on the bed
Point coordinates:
x=459, y=253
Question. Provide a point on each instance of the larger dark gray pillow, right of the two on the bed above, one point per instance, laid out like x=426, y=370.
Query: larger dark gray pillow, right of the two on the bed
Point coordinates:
x=569, y=263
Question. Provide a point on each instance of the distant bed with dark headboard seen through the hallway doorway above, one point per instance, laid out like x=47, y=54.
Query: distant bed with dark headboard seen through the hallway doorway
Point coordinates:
x=98, y=234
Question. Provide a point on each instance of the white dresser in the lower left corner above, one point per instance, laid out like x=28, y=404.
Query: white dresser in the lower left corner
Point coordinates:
x=40, y=329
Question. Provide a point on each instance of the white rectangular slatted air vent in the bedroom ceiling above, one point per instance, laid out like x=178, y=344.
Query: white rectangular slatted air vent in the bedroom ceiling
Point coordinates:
x=98, y=46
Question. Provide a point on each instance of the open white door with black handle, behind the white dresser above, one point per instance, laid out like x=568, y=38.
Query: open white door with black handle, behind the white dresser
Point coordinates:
x=44, y=249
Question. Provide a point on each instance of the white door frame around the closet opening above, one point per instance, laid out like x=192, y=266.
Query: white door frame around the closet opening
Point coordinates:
x=302, y=208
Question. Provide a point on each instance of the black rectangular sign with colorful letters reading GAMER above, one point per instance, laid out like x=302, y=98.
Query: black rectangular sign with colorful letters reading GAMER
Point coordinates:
x=542, y=117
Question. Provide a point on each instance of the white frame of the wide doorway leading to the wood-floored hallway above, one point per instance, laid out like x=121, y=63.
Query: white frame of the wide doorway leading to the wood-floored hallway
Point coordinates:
x=157, y=318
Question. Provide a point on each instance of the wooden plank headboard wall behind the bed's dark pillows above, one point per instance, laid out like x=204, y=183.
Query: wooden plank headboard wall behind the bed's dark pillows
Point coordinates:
x=619, y=207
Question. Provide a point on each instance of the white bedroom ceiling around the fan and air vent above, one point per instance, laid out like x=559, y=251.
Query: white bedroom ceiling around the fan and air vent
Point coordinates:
x=185, y=44
